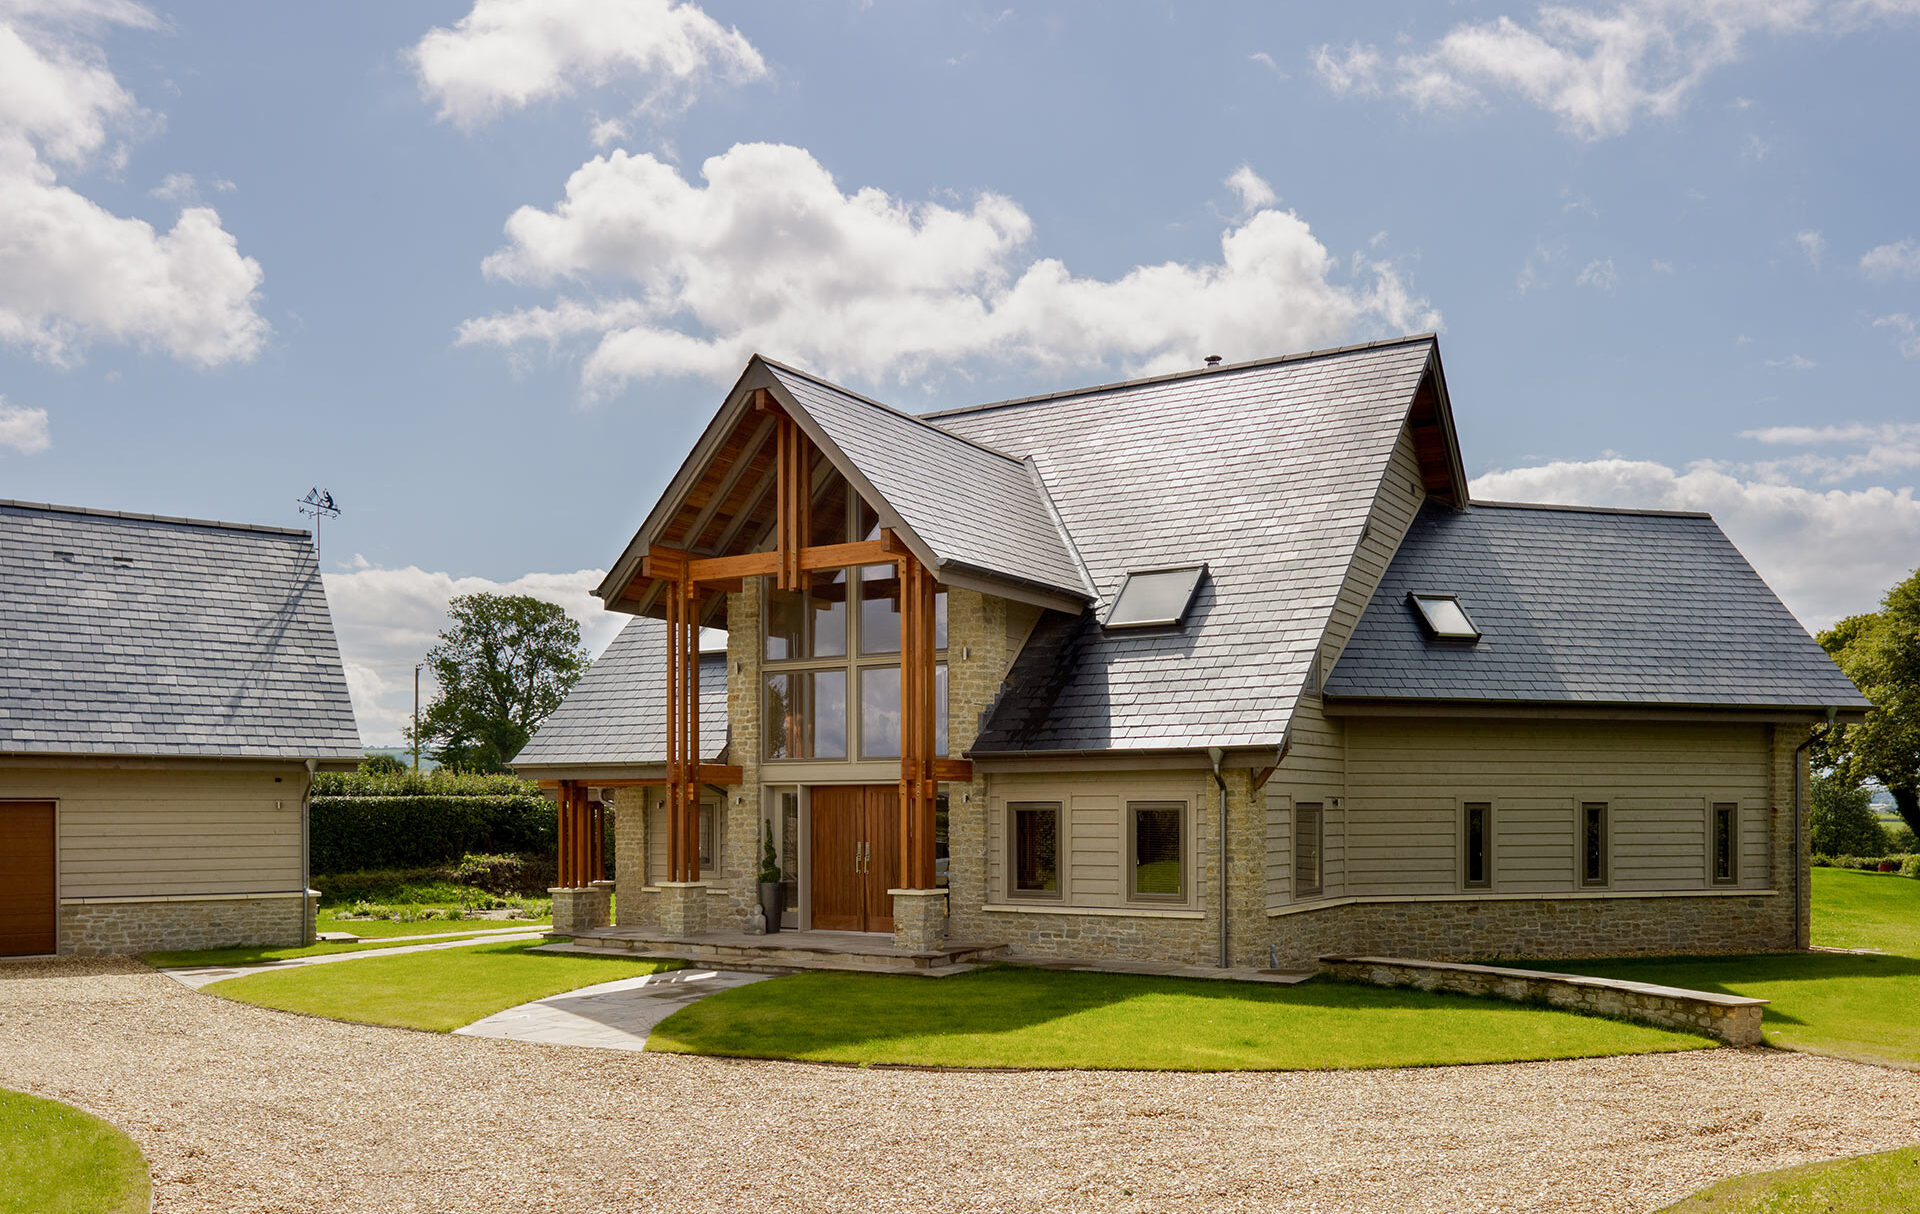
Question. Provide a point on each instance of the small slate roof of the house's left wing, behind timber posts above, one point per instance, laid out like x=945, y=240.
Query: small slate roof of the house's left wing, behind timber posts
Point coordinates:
x=617, y=712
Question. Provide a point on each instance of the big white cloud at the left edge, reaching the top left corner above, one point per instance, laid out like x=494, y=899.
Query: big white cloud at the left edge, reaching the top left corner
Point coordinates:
x=74, y=274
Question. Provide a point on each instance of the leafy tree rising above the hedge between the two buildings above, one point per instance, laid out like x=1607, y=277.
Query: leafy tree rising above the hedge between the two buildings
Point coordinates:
x=504, y=666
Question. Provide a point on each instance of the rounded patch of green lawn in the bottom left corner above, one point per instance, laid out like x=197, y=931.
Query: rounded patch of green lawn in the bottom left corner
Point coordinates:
x=57, y=1159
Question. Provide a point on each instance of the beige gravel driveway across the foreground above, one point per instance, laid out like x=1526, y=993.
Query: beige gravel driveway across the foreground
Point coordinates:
x=249, y=1109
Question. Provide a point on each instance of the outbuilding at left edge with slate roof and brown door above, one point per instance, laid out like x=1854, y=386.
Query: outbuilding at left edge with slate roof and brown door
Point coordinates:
x=168, y=689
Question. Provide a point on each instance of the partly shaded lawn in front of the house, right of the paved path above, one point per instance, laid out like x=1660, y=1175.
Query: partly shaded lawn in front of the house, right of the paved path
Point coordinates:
x=1013, y=1017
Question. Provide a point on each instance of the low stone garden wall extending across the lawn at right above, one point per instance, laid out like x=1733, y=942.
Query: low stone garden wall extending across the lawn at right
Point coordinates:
x=1731, y=1019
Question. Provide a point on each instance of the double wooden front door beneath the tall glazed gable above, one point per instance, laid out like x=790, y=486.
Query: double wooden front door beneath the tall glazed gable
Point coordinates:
x=855, y=856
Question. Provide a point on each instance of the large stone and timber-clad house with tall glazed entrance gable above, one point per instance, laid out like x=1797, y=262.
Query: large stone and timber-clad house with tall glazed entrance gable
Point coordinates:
x=1209, y=668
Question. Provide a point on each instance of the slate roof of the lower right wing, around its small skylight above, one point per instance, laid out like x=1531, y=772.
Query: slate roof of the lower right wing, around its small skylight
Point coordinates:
x=1585, y=606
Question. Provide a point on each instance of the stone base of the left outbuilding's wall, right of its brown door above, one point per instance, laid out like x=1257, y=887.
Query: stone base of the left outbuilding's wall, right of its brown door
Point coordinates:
x=268, y=921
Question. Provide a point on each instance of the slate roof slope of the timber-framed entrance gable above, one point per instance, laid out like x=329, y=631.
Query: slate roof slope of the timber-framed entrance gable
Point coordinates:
x=976, y=508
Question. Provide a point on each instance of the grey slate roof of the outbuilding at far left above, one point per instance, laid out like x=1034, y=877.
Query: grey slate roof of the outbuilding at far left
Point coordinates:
x=137, y=635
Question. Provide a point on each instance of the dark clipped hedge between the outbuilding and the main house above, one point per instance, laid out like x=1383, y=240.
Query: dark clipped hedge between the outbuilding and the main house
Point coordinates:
x=352, y=835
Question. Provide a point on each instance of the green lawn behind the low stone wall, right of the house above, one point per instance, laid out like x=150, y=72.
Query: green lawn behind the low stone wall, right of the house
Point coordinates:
x=1854, y=1008
